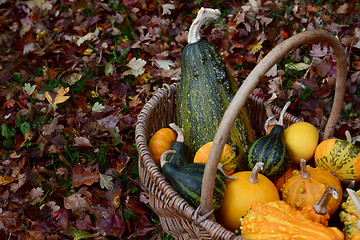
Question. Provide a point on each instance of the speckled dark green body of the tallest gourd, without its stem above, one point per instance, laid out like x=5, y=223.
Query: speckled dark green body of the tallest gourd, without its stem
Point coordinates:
x=205, y=91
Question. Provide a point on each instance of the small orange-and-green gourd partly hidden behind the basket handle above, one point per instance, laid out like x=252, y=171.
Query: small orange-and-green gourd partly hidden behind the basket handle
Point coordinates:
x=227, y=158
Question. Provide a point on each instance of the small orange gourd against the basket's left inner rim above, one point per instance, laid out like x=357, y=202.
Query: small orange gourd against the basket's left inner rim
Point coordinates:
x=160, y=142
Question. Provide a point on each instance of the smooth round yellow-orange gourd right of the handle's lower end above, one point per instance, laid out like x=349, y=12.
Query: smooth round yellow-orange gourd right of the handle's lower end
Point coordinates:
x=240, y=194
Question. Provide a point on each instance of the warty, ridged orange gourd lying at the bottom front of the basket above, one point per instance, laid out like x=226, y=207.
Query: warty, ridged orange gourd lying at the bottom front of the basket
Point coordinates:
x=278, y=220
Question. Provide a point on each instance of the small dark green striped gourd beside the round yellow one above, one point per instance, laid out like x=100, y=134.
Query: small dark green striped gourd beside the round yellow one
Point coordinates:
x=271, y=150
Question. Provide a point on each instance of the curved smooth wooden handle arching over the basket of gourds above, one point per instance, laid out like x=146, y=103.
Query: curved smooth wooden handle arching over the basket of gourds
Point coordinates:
x=249, y=85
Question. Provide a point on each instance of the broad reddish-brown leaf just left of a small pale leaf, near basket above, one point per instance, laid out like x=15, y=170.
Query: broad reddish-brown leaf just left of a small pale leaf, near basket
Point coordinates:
x=81, y=176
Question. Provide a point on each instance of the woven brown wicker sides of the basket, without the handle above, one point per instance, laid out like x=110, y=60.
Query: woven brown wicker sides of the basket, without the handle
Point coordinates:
x=176, y=215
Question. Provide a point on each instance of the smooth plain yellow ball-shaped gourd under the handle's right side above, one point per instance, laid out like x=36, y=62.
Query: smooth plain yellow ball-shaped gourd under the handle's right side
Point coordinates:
x=301, y=139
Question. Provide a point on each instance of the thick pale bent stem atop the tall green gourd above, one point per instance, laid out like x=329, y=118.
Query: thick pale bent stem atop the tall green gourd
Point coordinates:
x=204, y=14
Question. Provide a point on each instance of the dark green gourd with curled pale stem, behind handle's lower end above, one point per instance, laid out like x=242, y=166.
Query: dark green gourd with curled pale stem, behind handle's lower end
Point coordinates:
x=187, y=181
